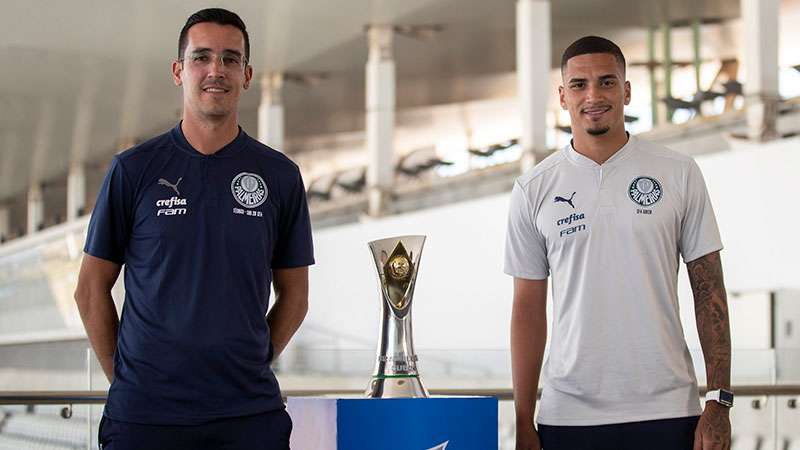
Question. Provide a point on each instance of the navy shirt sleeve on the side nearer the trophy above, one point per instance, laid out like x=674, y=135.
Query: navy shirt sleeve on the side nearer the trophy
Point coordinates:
x=294, y=247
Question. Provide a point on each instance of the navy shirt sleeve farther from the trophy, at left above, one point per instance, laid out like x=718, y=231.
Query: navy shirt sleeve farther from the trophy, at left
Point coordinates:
x=110, y=224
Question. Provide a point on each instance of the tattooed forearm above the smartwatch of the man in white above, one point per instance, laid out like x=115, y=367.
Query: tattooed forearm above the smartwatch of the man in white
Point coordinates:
x=711, y=312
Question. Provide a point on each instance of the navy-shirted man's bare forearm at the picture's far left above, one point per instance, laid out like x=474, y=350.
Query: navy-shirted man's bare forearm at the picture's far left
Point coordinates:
x=99, y=316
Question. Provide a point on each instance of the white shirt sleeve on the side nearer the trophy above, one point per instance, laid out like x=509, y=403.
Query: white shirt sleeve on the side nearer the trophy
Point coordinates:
x=526, y=250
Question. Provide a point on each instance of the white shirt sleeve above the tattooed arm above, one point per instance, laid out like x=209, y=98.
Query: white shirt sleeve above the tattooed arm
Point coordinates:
x=699, y=231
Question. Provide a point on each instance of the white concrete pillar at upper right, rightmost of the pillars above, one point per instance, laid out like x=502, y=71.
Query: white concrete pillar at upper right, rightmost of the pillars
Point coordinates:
x=760, y=18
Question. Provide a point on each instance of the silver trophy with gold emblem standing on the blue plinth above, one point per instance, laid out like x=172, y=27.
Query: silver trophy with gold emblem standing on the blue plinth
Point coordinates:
x=397, y=262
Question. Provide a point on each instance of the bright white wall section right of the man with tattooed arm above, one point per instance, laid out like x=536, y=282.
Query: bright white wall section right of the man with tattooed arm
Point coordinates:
x=755, y=193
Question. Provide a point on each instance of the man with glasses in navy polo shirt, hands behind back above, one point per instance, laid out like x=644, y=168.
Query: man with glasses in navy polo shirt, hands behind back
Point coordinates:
x=203, y=218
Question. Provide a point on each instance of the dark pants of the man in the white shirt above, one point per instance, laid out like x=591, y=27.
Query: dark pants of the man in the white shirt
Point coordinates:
x=667, y=434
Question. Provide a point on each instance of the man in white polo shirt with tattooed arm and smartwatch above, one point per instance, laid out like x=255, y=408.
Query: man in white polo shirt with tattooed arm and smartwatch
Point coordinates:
x=607, y=218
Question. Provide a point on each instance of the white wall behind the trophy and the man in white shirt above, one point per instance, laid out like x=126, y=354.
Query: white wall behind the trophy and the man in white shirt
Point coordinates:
x=463, y=300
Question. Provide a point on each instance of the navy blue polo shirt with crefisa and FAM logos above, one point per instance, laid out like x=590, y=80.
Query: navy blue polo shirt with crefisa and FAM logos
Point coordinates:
x=198, y=235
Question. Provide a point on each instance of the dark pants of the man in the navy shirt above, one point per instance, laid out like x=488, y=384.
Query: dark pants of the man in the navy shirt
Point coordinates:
x=267, y=431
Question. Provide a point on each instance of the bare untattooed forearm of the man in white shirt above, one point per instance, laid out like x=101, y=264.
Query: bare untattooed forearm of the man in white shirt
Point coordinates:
x=528, y=337
